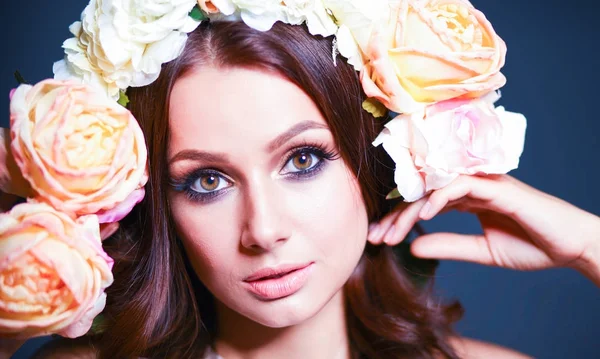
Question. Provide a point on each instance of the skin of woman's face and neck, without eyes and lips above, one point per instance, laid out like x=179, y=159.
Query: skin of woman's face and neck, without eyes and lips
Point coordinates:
x=263, y=216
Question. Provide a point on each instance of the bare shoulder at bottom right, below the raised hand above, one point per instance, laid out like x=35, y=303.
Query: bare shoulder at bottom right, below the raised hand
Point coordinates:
x=470, y=349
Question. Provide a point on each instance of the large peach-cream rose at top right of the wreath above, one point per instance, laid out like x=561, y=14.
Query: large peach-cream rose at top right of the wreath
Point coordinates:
x=430, y=51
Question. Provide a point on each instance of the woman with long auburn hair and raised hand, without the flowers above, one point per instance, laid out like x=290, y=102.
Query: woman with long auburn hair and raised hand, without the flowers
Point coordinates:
x=262, y=185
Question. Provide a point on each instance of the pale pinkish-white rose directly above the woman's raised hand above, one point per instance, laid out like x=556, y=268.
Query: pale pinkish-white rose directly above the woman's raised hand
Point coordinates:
x=453, y=137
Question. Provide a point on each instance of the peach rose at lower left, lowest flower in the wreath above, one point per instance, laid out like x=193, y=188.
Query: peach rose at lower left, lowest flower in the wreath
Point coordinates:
x=53, y=272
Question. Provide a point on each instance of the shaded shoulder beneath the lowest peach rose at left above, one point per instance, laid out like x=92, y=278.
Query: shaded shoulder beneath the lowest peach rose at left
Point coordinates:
x=81, y=348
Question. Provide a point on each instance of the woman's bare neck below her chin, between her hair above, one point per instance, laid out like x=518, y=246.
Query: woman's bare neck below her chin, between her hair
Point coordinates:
x=322, y=336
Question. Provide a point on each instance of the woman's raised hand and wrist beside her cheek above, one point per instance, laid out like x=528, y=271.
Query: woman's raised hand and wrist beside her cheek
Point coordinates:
x=523, y=228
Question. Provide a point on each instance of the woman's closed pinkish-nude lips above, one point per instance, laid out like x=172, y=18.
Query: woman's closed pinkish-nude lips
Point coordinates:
x=278, y=282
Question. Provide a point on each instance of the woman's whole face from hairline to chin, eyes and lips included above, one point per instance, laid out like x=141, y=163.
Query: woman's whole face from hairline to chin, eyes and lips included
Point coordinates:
x=270, y=216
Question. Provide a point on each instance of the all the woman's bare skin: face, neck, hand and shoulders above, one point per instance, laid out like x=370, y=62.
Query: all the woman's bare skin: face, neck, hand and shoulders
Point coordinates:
x=266, y=218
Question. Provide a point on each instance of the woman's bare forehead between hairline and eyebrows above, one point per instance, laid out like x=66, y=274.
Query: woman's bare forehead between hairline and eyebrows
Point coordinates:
x=223, y=109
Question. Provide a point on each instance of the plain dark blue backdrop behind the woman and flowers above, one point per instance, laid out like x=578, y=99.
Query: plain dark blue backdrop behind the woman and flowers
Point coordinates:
x=553, y=75
